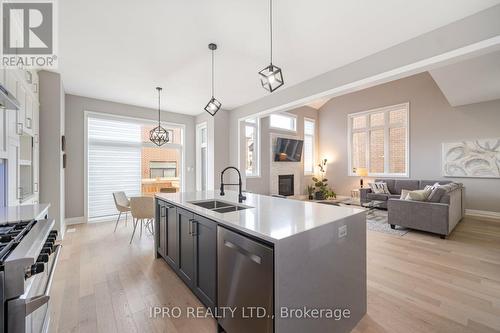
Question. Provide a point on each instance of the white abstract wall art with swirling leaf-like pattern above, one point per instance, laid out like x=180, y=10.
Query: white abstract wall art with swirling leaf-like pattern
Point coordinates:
x=472, y=158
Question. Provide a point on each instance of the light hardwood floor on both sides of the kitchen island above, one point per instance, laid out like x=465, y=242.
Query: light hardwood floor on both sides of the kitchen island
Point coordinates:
x=416, y=283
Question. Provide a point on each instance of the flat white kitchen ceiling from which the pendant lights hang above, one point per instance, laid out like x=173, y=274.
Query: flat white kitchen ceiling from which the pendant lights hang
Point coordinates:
x=119, y=50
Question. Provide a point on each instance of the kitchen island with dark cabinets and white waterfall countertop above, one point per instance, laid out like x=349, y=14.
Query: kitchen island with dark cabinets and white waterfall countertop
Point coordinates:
x=302, y=263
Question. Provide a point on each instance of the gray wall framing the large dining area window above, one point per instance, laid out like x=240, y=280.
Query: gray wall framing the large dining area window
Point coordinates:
x=75, y=107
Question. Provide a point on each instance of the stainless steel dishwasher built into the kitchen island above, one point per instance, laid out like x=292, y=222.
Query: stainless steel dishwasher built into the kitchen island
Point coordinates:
x=245, y=283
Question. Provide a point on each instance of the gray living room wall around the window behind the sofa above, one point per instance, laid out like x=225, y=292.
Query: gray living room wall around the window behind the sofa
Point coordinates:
x=432, y=121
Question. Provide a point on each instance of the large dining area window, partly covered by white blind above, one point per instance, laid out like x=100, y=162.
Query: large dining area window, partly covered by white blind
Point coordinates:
x=120, y=157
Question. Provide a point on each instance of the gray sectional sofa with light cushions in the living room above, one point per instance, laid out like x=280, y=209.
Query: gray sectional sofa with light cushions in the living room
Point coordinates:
x=436, y=217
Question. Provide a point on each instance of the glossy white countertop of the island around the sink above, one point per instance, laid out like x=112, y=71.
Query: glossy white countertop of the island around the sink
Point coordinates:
x=270, y=218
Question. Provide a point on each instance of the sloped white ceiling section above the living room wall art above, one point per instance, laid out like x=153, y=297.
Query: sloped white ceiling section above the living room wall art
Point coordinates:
x=471, y=81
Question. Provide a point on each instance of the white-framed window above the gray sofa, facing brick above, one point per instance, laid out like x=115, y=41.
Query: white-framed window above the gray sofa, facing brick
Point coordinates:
x=378, y=141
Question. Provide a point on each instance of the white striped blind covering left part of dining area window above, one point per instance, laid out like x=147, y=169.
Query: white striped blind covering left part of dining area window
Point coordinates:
x=114, y=163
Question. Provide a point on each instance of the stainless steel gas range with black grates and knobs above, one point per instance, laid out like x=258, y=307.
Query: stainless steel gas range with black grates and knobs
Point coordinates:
x=28, y=257
